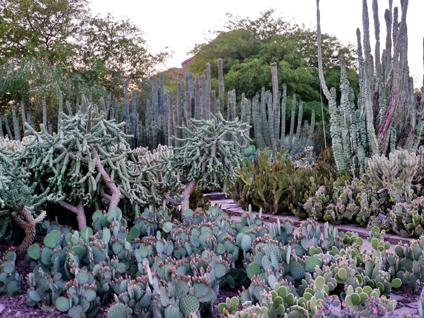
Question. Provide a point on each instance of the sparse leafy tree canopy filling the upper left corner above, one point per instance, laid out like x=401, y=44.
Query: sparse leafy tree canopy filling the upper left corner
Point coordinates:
x=45, y=43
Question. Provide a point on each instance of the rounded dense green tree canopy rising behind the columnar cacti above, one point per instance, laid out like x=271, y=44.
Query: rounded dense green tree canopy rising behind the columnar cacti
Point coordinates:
x=249, y=46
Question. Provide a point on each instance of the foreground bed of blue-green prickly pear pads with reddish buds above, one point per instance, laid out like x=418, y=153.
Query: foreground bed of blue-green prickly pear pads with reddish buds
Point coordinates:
x=189, y=265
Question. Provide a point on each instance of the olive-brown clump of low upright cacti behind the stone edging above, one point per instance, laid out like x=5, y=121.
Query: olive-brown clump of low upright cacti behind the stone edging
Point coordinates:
x=281, y=186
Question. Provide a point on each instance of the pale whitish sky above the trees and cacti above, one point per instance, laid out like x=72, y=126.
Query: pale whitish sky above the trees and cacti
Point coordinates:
x=179, y=25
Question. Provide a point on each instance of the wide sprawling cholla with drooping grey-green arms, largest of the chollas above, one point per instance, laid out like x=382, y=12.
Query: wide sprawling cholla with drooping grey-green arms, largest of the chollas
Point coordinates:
x=88, y=161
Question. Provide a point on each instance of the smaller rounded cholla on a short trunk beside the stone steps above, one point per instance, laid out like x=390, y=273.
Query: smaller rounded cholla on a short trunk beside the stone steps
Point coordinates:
x=212, y=153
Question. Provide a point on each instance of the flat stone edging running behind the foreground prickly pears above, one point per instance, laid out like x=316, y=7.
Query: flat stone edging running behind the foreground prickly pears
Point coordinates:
x=230, y=207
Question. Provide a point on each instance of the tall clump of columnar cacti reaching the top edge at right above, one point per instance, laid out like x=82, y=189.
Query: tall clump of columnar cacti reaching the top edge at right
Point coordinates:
x=386, y=117
